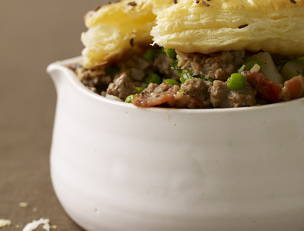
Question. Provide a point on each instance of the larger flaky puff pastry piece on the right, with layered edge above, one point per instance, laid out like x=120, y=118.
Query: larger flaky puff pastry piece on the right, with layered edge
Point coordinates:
x=201, y=26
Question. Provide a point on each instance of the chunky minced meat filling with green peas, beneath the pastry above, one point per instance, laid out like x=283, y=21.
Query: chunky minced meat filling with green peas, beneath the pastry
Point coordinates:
x=168, y=78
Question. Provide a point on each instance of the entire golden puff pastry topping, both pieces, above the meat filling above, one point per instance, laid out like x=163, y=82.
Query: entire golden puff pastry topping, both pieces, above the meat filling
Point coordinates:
x=203, y=26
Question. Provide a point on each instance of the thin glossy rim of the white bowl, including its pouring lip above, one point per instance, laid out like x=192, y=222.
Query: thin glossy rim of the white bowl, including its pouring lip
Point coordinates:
x=62, y=65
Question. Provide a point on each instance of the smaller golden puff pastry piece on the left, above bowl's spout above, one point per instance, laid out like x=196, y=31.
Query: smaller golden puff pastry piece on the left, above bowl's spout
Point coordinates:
x=115, y=28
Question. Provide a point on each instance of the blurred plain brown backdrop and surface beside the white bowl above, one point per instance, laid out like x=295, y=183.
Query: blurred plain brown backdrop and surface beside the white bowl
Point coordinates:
x=33, y=33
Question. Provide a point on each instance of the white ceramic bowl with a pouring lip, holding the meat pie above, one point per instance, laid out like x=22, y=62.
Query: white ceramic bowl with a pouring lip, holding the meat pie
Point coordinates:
x=116, y=167
